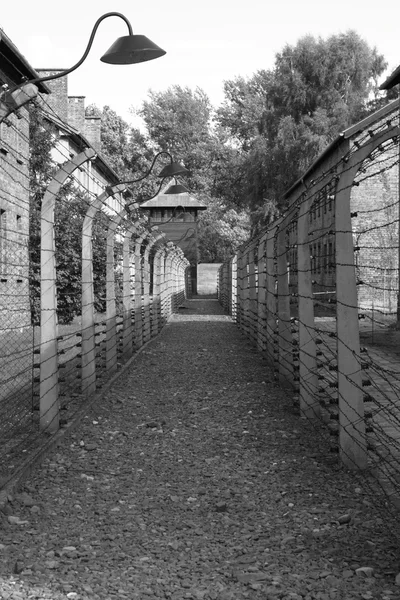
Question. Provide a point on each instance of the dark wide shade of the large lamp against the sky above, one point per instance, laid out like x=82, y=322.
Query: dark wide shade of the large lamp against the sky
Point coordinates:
x=130, y=49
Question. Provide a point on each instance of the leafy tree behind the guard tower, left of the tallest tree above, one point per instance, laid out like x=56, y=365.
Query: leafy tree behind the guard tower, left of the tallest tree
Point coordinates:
x=181, y=121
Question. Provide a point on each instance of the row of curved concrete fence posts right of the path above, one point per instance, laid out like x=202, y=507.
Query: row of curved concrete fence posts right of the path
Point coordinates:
x=254, y=288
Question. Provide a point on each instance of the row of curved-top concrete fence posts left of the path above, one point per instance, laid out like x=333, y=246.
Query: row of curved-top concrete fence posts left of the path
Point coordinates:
x=142, y=318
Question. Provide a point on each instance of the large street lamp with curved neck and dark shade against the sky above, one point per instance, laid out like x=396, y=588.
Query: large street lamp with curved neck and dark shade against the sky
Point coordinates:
x=126, y=50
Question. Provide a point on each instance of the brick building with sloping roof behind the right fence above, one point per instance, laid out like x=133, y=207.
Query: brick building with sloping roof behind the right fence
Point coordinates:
x=374, y=205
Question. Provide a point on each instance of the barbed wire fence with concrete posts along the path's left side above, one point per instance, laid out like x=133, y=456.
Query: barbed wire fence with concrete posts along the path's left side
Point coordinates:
x=84, y=283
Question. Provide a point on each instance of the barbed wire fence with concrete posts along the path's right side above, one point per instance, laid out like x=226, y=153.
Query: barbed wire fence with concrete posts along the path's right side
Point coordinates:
x=317, y=292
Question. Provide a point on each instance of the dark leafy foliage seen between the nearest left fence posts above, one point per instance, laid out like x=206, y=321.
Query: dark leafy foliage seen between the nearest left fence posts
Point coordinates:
x=70, y=208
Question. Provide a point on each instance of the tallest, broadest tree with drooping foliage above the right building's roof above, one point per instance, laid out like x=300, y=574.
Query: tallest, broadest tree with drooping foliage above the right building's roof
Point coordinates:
x=283, y=118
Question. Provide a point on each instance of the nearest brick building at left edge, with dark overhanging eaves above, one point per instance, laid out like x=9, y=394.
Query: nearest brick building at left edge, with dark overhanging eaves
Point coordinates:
x=14, y=194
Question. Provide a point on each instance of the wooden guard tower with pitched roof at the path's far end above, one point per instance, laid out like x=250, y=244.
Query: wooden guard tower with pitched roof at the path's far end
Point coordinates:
x=176, y=215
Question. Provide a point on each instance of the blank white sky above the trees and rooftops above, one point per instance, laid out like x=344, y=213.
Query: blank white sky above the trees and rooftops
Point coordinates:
x=207, y=41
